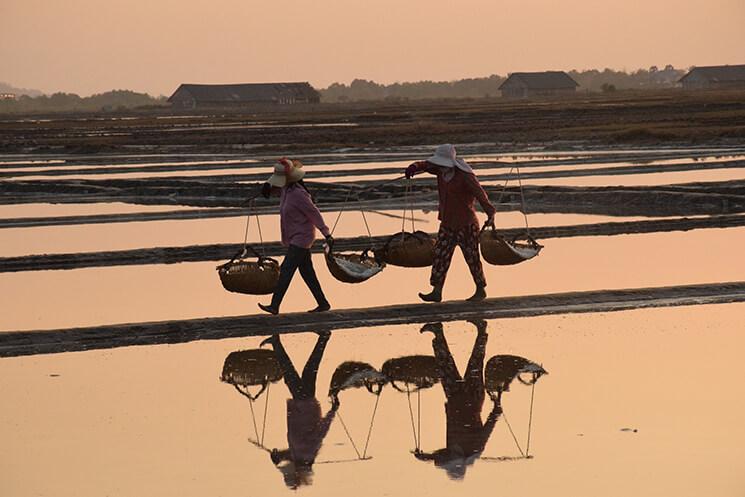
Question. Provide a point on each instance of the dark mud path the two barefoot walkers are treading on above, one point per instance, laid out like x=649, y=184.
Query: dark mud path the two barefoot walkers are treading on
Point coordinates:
x=170, y=332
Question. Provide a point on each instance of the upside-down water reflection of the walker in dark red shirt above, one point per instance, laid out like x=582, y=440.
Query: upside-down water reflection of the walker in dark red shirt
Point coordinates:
x=466, y=434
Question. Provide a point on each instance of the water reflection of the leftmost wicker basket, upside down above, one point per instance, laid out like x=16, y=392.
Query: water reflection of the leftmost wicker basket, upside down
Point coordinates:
x=254, y=367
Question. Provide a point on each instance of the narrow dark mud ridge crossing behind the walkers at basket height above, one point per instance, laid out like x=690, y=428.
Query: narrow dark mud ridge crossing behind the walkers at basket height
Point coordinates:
x=222, y=252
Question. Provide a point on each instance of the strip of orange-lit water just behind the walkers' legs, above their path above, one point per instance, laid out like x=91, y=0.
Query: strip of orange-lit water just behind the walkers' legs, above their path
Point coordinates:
x=126, y=294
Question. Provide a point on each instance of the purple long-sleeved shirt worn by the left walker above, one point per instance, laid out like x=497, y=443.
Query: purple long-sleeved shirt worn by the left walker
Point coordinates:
x=299, y=217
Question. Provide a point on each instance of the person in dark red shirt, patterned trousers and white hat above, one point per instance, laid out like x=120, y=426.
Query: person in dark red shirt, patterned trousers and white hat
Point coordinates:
x=458, y=187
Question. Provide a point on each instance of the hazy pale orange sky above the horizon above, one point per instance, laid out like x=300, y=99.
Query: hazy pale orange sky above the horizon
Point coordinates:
x=88, y=46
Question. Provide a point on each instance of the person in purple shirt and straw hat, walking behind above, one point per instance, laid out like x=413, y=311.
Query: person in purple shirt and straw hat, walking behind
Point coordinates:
x=299, y=217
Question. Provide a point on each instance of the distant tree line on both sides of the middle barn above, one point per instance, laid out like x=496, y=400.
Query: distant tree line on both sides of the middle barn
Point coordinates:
x=593, y=80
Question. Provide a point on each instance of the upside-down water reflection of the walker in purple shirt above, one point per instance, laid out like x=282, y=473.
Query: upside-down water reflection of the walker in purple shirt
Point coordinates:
x=306, y=427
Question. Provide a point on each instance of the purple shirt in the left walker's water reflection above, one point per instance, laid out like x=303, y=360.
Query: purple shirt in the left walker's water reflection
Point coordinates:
x=306, y=429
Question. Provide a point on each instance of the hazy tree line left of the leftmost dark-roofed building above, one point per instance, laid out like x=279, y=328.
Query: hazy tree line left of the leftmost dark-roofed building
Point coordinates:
x=69, y=102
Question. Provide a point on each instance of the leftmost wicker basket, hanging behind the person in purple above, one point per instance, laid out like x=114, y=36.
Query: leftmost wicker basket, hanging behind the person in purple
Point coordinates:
x=250, y=277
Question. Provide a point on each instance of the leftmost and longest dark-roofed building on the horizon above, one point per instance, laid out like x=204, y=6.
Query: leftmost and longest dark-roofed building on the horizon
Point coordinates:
x=191, y=96
